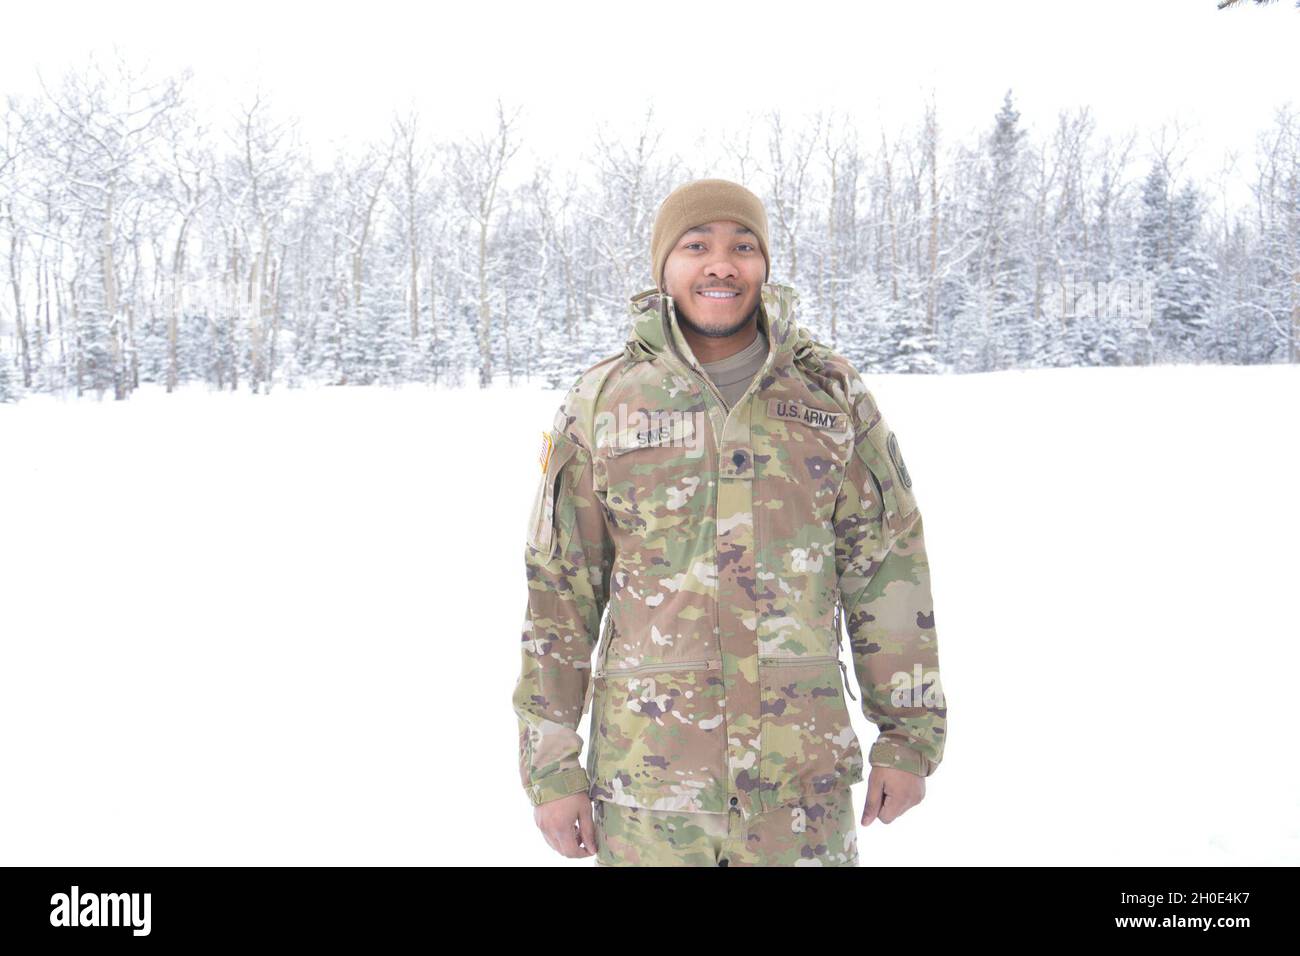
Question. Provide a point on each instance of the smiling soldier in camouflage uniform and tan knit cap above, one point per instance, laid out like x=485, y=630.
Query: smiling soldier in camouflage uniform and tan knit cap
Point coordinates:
x=722, y=492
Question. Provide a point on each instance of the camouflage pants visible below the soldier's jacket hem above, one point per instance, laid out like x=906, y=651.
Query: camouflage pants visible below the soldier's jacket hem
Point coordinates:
x=818, y=833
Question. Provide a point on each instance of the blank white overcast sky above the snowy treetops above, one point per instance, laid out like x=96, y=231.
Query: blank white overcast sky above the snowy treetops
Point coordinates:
x=345, y=67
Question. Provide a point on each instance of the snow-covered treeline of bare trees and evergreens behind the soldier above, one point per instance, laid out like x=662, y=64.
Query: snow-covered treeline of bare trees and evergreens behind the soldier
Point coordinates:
x=146, y=243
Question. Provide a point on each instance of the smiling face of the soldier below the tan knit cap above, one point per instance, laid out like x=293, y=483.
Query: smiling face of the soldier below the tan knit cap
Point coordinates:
x=722, y=258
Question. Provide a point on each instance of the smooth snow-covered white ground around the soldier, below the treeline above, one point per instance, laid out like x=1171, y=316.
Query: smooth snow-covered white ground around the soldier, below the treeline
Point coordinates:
x=285, y=630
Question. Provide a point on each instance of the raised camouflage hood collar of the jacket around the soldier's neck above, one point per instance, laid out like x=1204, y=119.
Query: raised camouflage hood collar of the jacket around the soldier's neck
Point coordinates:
x=656, y=332
